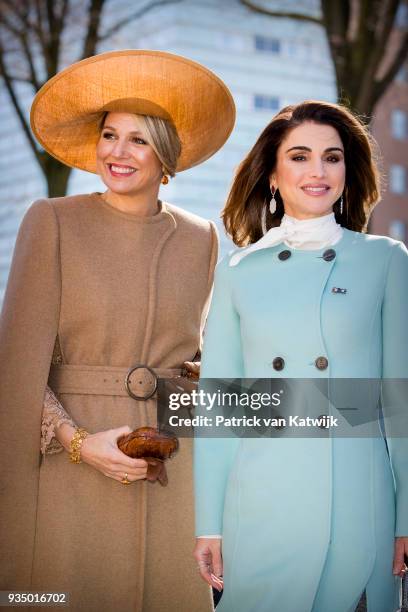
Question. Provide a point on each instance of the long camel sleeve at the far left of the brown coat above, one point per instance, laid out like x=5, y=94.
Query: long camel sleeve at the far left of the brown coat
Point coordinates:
x=29, y=320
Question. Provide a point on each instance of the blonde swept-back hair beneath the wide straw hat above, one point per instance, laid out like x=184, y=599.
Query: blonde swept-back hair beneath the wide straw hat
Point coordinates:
x=162, y=136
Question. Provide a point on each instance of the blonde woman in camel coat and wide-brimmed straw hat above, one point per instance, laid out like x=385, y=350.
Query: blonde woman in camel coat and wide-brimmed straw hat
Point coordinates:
x=100, y=283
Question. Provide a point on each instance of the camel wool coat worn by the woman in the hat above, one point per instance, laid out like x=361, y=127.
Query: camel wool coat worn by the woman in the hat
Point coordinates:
x=115, y=289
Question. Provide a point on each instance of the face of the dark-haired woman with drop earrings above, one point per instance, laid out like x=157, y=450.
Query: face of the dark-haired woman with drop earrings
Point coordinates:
x=310, y=170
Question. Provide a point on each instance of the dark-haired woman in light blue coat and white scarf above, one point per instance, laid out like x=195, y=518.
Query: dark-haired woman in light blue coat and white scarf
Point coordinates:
x=306, y=524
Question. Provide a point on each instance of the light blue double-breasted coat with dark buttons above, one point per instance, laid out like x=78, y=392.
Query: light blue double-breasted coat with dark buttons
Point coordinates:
x=307, y=524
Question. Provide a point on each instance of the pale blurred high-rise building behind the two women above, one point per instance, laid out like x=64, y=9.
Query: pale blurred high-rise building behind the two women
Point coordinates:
x=266, y=62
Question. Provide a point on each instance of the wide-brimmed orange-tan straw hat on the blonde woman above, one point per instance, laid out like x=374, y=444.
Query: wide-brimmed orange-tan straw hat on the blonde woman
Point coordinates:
x=66, y=112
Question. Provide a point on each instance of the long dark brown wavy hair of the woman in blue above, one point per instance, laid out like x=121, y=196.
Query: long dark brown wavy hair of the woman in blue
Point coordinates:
x=250, y=192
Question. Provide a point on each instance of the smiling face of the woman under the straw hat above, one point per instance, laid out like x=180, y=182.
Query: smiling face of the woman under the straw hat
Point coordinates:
x=125, y=161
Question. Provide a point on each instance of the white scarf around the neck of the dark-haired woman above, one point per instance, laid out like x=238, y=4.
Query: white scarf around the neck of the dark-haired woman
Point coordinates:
x=307, y=234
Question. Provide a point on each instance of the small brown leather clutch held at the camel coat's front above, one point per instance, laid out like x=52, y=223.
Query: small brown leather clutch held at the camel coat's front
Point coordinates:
x=148, y=442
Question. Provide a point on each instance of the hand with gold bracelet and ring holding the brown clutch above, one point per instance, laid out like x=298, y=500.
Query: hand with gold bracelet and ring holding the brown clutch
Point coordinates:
x=100, y=450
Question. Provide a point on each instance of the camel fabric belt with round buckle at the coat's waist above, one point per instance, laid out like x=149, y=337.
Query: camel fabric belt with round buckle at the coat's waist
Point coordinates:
x=139, y=381
